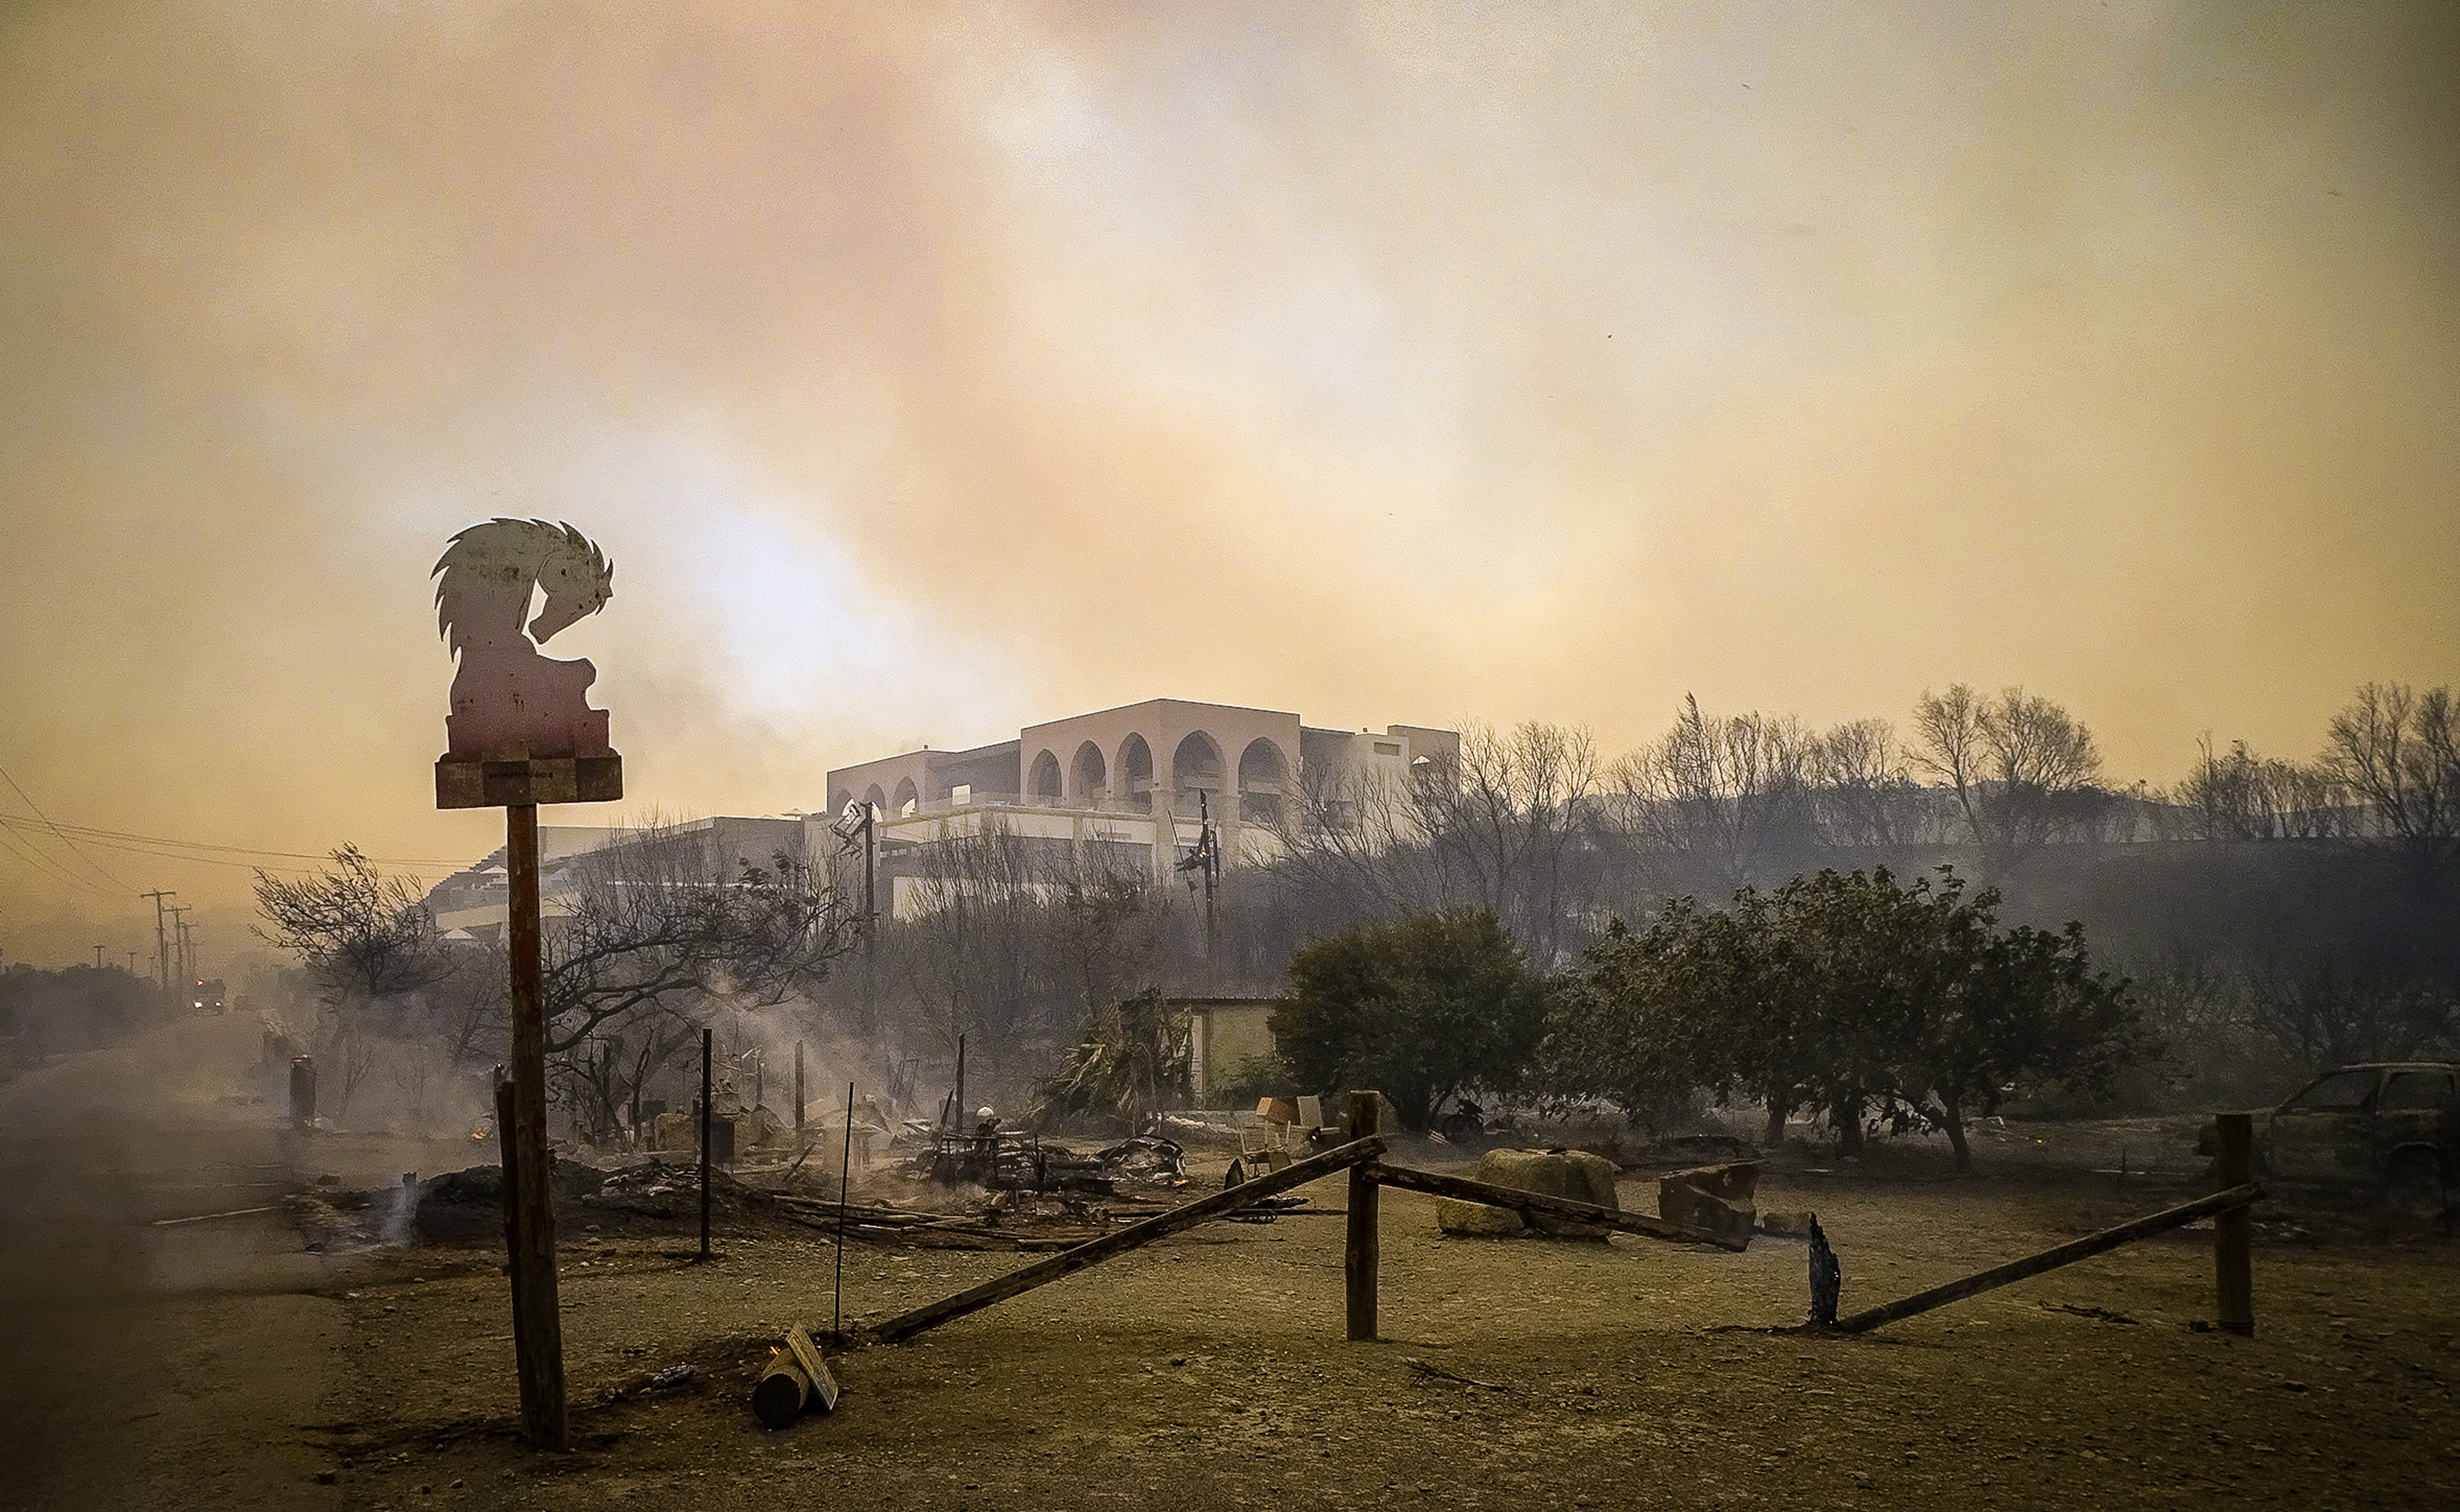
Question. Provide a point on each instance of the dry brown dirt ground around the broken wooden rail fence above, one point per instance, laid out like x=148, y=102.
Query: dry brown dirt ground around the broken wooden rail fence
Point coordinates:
x=1212, y=1371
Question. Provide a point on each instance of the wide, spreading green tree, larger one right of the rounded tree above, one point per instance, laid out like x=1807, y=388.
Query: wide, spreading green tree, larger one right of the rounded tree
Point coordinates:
x=1851, y=992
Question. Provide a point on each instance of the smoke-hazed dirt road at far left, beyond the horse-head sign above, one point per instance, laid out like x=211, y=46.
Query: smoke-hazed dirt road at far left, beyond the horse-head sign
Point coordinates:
x=156, y=1366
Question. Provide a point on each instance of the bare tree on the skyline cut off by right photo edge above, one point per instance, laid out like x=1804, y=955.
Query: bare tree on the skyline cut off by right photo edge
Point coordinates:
x=2400, y=754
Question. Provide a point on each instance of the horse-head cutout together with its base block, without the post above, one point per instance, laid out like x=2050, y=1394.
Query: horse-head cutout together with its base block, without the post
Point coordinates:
x=523, y=729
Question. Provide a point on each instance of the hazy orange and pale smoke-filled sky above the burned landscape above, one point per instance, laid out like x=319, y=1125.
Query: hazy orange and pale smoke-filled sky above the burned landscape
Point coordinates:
x=931, y=370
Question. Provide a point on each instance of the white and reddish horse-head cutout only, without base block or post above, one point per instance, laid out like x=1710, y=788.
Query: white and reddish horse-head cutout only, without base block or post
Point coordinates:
x=510, y=704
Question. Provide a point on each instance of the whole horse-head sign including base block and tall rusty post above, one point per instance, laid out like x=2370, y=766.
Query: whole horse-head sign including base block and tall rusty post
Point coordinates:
x=523, y=734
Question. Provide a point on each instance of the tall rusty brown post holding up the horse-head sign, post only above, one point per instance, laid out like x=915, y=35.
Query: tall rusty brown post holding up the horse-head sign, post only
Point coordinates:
x=538, y=1326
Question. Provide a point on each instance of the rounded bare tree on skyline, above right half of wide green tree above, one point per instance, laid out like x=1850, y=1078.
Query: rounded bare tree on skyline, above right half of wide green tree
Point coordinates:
x=2023, y=771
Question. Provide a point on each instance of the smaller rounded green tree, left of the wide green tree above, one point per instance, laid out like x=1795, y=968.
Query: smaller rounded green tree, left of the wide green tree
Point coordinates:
x=1418, y=1009
